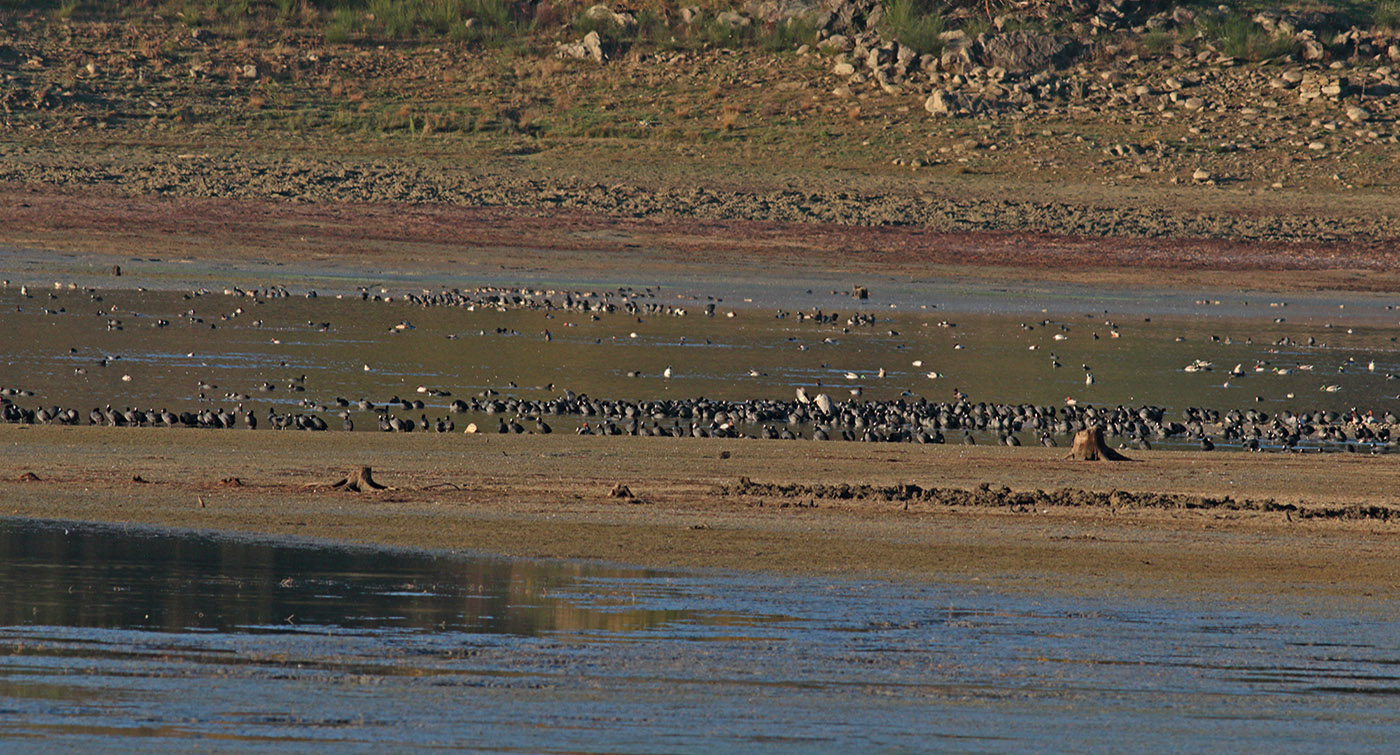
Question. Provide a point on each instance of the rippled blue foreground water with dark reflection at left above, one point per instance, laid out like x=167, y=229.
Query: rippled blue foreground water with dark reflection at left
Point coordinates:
x=167, y=642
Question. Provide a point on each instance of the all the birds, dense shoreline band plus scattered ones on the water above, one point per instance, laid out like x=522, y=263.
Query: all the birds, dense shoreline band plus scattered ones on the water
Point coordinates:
x=906, y=420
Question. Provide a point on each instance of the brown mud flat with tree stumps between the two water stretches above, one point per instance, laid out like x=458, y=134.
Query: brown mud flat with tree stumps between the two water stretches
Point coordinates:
x=1291, y=526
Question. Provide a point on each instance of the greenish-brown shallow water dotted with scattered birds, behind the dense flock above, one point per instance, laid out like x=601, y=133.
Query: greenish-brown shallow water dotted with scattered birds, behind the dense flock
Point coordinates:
x=169, y=349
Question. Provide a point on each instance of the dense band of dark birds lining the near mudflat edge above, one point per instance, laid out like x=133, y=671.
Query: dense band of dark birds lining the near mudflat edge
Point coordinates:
x=813, y=418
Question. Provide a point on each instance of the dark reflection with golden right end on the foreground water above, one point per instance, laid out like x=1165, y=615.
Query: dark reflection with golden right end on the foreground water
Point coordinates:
x=87, y=576
